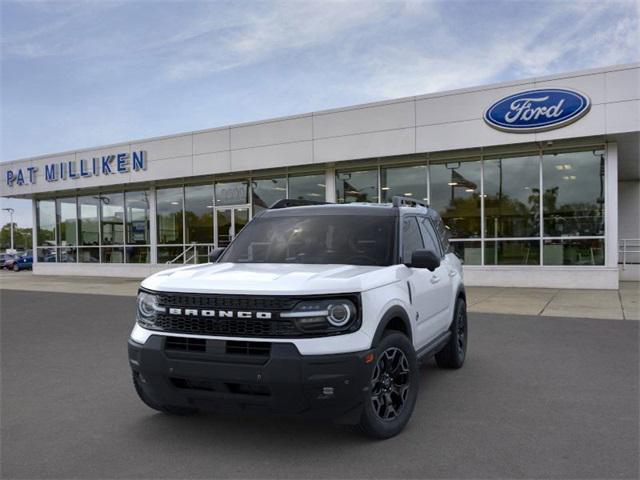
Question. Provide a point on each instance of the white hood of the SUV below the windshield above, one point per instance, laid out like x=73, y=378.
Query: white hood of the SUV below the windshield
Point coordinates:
x=270, y=278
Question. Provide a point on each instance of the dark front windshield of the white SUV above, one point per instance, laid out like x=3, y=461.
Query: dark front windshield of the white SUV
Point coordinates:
x=319, y=239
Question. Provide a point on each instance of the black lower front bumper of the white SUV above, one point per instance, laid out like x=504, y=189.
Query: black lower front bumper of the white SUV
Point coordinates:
x=251, y=377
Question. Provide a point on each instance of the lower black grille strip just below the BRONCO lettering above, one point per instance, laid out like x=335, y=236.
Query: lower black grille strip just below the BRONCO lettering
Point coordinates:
x=234, y=327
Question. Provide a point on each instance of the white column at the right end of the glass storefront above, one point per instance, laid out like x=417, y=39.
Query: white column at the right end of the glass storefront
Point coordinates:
x=611, y=205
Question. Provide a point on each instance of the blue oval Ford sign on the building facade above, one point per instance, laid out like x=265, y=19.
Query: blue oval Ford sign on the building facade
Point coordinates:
x=537, y=110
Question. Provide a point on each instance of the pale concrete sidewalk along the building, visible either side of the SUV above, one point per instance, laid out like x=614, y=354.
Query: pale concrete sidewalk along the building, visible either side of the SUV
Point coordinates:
x=623, y=304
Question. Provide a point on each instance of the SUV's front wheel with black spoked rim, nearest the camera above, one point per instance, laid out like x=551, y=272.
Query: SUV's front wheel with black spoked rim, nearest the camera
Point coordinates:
x=391, y=397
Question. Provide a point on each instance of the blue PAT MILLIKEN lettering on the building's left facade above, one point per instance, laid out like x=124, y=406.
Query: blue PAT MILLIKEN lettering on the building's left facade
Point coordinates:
x=117, y=163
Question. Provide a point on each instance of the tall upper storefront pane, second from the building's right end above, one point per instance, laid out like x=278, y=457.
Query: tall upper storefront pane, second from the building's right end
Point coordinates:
x=512, y=197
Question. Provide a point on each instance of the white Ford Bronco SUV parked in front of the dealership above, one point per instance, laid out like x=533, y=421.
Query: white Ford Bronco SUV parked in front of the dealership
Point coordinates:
x=314, y=309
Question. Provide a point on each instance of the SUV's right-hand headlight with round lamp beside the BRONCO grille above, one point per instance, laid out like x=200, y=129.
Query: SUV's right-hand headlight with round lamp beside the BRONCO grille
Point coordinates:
x=330, y=315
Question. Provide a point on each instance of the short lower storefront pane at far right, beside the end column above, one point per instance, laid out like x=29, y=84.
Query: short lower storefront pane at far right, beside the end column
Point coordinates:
x=573, y=251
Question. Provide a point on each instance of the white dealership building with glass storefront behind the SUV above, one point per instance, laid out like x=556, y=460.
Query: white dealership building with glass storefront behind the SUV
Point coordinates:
x=537, y=180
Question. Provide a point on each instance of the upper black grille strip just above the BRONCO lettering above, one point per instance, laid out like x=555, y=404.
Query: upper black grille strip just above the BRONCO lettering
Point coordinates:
x=226, y=302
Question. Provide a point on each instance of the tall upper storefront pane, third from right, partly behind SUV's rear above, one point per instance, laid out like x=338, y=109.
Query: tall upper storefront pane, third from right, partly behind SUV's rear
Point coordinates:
x=455, y=194
